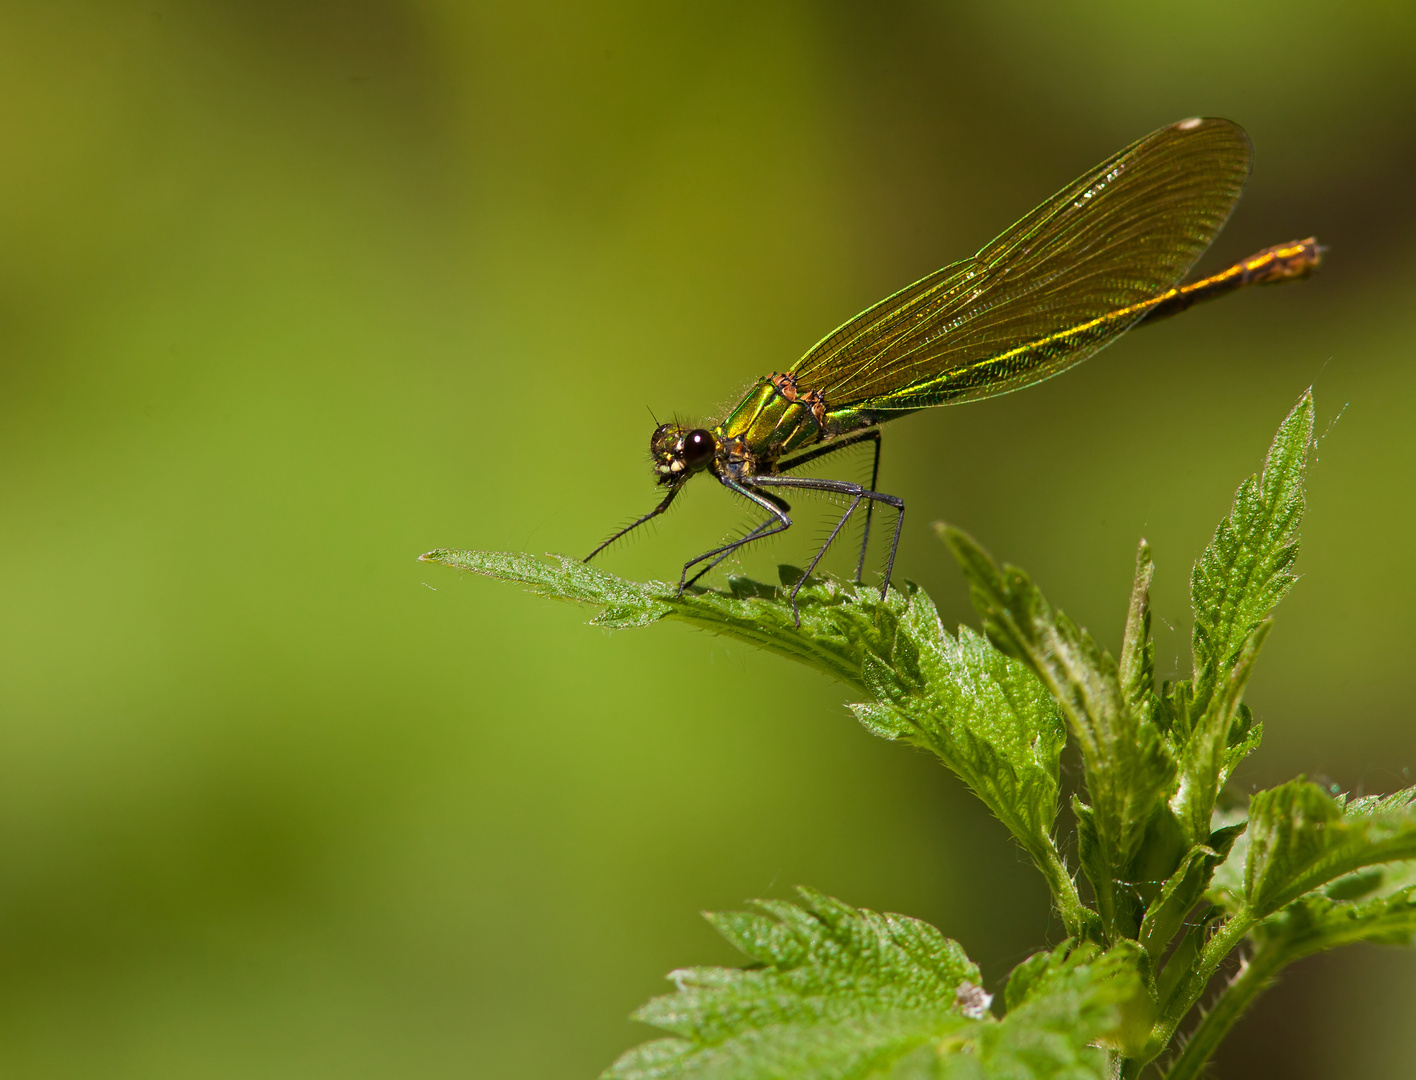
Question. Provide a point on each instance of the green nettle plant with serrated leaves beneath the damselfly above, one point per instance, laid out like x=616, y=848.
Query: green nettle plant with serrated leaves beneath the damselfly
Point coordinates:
x=1175, y=885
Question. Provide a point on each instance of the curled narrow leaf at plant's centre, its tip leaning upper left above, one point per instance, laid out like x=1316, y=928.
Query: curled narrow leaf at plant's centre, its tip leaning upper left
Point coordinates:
x=1125, y=758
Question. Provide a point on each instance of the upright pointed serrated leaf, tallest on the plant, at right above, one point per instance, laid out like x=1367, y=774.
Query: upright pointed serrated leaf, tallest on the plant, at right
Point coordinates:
x=1245, y=570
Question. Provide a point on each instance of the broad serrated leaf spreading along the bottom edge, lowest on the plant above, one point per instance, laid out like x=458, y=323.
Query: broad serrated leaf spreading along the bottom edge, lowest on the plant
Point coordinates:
x=845, y=994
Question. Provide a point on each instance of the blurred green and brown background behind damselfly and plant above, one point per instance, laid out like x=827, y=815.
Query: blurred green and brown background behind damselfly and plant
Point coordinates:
x=295, y=291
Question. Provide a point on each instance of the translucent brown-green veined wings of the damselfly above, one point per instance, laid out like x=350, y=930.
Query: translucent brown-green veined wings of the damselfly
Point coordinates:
x=1050, y=291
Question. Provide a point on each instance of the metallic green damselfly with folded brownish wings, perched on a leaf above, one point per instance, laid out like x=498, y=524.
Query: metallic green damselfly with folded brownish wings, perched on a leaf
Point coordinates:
x=1102, y=255
